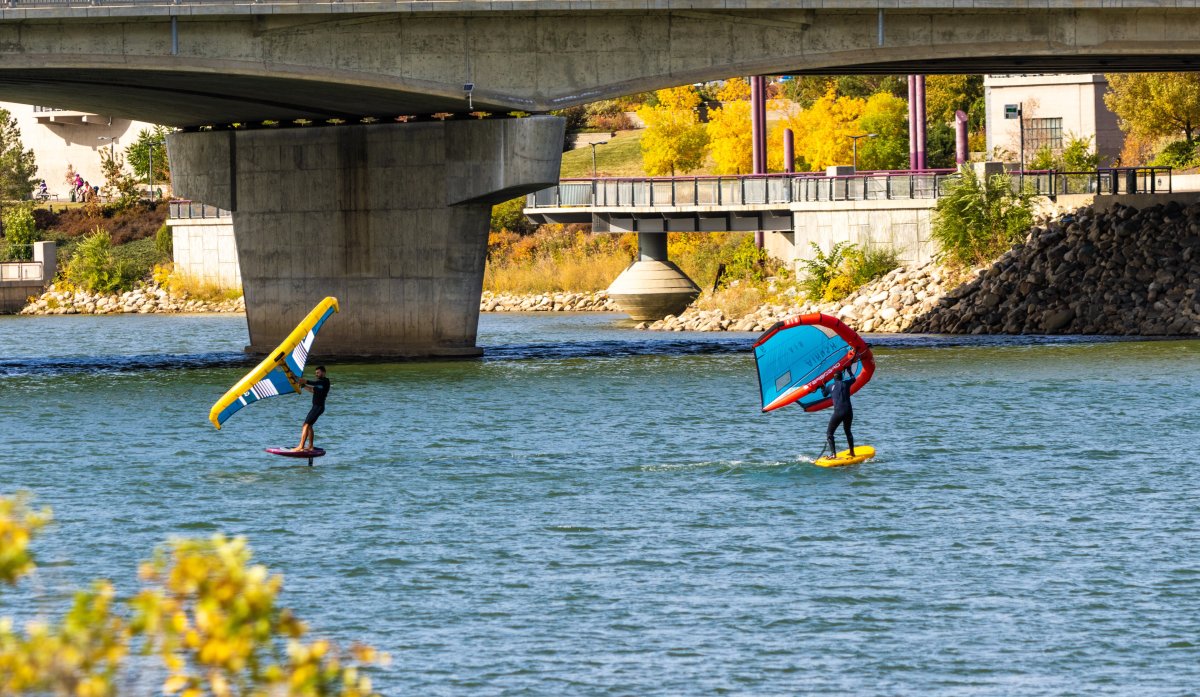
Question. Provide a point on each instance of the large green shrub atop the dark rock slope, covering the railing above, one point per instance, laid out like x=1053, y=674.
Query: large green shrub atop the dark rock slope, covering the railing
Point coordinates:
x=977, y=220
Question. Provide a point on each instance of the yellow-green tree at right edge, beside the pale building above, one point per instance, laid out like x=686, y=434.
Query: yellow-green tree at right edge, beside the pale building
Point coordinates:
x=1156, y=105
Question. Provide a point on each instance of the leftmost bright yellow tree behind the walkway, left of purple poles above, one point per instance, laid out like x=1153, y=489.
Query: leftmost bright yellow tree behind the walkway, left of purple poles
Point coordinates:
x=675, y=139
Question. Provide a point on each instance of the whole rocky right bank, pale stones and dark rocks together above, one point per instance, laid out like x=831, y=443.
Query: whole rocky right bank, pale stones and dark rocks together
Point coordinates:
x=1119, y=273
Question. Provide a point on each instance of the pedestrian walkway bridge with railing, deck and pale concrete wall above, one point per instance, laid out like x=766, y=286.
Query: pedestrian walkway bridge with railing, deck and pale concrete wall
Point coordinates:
x=797, y=211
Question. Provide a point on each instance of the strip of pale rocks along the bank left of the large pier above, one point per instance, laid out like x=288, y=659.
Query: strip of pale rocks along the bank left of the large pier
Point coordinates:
x=142, y=301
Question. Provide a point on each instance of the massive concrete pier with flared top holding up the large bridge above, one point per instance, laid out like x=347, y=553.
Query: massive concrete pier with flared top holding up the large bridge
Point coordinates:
x=392, y=219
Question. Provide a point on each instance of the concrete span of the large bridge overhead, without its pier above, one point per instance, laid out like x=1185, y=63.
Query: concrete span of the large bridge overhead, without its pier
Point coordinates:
x=193, y=71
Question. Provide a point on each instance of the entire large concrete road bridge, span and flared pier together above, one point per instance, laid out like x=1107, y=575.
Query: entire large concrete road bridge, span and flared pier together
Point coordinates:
x=393, y=217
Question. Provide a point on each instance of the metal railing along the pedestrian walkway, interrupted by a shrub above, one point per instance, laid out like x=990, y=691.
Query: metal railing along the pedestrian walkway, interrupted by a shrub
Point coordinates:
x=788, y=189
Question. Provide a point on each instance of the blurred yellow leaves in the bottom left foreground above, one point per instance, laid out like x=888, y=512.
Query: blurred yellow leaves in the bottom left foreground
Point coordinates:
x=209, y=614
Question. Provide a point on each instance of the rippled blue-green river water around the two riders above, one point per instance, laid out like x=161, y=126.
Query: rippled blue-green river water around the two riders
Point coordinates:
x=592, y=510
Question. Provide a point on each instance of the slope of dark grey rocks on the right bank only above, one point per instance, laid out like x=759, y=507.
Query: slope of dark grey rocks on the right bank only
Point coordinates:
x=1126, y=272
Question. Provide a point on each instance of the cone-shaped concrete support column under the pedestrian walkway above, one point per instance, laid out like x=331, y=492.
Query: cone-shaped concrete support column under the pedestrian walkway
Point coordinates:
x=653, y=287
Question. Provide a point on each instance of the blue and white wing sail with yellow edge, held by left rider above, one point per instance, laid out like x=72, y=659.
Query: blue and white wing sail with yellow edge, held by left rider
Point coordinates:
x=280, y=371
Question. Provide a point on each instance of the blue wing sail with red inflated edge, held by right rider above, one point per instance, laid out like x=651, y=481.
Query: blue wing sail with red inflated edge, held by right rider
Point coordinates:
x=800, y=356
